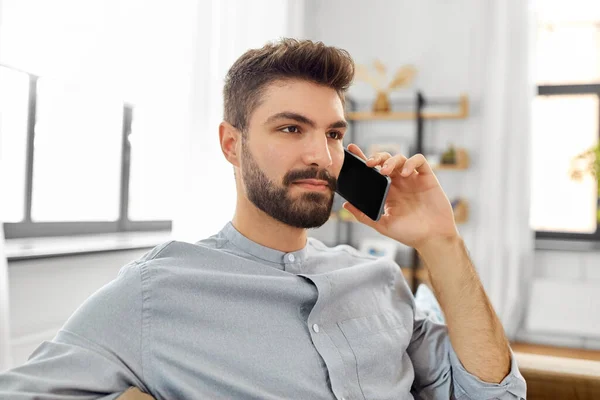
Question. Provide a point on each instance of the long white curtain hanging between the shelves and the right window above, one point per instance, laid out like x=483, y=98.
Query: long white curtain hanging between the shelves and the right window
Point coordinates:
x=503, y=90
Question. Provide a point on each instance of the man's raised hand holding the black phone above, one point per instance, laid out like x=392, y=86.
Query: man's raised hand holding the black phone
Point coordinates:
x=416, y=210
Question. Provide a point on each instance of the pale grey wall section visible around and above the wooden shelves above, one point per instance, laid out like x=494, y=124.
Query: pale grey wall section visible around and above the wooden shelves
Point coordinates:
x=400, y=33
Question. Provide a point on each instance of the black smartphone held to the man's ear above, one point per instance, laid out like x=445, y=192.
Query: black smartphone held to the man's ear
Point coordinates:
x=362, y=186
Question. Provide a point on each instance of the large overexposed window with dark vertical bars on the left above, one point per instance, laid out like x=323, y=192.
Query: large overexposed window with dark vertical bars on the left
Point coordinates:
x=91, y=95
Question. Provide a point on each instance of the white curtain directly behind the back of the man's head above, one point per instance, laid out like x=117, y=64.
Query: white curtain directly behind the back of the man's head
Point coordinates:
x=225, y=30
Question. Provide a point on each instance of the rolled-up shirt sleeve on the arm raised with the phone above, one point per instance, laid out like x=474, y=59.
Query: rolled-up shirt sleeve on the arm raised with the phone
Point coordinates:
x=439, y=374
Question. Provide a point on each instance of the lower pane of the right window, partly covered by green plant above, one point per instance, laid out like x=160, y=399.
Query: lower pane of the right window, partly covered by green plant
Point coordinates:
x=563, y=127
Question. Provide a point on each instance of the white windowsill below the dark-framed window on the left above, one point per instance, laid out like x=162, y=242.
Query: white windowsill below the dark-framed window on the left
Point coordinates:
x=64, y=246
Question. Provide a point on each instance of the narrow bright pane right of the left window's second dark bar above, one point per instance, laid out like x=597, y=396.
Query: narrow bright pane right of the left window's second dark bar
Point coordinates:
x=151, y=179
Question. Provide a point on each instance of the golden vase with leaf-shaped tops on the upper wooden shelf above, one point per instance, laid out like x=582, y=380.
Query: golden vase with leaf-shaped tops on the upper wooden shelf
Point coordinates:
x=403, y=77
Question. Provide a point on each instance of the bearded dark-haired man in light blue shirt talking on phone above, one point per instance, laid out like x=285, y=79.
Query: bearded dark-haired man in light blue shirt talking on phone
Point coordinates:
x=262, y=311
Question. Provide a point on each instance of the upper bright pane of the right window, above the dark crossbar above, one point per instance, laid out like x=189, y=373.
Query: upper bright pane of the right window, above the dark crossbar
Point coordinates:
x=568, y=53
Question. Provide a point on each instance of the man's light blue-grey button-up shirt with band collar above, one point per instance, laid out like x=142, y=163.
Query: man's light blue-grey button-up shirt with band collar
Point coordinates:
x=227, y=318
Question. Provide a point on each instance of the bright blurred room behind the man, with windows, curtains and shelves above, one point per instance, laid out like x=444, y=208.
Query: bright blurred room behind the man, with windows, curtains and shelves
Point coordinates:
x=109, y=144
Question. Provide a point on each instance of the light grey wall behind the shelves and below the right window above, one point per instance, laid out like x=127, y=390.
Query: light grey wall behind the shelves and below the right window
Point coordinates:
x=438, y=37
